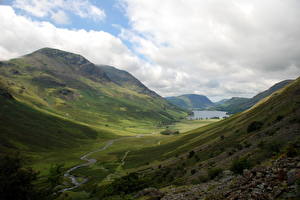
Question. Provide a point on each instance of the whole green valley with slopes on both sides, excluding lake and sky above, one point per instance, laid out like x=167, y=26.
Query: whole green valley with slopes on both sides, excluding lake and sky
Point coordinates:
x=96, y=132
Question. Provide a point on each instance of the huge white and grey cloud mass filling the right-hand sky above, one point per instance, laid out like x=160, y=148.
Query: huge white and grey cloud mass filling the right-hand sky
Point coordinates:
x=216, y=48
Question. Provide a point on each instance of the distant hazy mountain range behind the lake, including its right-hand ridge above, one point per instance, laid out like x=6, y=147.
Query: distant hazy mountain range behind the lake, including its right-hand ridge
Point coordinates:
x=232, y=105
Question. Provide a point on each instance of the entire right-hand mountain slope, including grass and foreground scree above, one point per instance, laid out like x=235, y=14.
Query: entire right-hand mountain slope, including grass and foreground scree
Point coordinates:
x=264, y=138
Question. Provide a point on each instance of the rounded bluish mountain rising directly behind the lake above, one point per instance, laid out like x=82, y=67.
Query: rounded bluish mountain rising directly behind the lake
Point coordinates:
x=190, y=101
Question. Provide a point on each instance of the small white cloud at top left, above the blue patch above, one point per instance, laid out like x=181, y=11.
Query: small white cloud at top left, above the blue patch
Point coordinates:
x=55, y=9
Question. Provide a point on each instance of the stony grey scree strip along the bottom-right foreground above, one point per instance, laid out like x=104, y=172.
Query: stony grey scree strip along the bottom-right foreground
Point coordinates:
x=279, y=180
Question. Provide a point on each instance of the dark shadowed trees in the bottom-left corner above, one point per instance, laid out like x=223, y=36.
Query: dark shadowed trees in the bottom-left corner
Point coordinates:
x=23, y=183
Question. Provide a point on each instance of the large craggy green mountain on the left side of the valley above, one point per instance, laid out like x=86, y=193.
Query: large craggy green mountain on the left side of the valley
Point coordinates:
x=68, y=85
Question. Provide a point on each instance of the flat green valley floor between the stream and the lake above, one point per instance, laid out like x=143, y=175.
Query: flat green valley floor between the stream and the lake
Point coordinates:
x=121, y=155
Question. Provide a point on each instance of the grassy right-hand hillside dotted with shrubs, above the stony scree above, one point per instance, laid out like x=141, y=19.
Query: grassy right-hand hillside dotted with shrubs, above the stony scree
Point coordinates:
x=253, y=136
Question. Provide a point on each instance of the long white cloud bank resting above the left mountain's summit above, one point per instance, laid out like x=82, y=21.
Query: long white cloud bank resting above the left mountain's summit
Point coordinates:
x=21, y=35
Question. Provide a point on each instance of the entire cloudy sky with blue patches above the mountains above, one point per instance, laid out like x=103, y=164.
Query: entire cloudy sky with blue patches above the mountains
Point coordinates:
x=218, y=48
